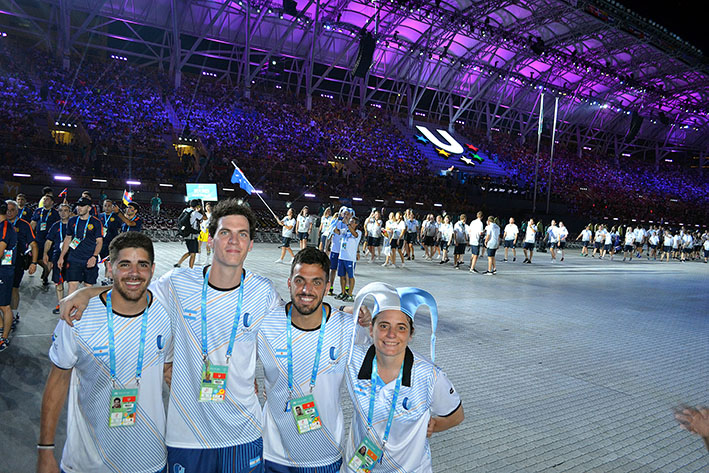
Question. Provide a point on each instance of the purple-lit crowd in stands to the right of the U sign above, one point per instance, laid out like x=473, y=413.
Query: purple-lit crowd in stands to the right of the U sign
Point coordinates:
x=595, y=187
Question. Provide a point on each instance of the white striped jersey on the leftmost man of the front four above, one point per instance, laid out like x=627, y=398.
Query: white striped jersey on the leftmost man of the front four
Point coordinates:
x=91, y=445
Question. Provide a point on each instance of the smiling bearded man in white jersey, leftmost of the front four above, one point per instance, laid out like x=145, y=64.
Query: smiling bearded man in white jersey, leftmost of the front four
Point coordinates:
x=118, y=350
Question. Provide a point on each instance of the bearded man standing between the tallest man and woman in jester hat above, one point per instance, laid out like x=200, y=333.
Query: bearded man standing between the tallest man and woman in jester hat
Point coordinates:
x=304, y=347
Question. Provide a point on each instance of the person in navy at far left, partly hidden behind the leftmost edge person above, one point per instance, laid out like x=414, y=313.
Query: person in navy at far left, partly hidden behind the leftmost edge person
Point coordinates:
x=27, y=254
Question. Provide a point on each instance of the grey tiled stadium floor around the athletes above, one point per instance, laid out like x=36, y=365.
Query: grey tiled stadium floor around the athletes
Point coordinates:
x=566, y=367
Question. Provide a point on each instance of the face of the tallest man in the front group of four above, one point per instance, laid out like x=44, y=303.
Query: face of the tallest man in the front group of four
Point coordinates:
x=232, y=241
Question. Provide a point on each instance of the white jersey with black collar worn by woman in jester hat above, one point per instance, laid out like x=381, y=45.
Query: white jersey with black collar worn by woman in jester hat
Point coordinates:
x=425, y=391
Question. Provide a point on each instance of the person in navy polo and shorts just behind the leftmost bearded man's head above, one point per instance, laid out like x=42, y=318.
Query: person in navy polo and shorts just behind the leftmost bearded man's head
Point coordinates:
x=81, y=247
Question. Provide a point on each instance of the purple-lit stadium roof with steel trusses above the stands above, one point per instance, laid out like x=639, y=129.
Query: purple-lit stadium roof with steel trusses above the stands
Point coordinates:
x=449, y=61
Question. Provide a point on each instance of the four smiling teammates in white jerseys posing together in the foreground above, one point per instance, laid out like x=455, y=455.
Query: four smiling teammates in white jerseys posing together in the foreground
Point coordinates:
x=198, y=331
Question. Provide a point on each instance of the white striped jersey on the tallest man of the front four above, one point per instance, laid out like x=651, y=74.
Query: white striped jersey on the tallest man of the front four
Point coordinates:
x=237, y=420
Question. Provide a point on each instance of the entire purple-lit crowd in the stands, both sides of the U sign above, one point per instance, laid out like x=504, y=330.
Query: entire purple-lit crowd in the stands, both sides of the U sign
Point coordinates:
x=282, y=147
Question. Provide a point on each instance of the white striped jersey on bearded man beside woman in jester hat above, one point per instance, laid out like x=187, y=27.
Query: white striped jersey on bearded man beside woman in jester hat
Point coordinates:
x=282, y=443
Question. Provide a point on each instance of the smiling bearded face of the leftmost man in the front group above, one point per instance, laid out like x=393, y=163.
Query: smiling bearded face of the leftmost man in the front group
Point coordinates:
x=132, y=272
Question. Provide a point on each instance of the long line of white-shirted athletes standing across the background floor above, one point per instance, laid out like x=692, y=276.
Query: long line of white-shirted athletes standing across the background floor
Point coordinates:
x=438, y=235
